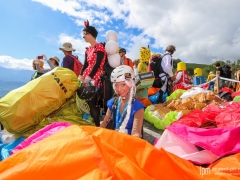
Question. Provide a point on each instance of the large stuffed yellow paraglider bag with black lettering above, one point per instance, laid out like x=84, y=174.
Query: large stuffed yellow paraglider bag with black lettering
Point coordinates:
x=23, y=108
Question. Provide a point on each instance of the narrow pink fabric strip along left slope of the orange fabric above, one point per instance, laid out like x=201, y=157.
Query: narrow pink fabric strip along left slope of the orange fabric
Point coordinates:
x=41, y=134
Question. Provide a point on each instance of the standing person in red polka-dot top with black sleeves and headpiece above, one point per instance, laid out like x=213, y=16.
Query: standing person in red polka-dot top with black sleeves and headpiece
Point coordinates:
x=95, y=57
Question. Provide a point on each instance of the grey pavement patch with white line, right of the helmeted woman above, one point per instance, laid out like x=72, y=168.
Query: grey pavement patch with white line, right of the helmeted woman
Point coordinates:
x=150, y=133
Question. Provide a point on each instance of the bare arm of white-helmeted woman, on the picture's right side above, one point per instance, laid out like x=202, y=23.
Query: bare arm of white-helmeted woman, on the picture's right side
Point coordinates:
x=138, y=123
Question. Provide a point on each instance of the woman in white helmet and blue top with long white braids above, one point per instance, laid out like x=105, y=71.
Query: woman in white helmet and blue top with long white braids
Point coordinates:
x=129, y=111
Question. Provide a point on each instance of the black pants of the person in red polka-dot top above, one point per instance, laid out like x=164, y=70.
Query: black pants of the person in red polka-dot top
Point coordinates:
x=94, y=110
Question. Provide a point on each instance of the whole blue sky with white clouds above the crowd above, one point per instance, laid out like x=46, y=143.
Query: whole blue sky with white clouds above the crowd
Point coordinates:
x=202, y=31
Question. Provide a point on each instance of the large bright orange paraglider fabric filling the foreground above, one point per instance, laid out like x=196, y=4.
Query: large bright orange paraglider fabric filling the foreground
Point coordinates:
x=100, y=154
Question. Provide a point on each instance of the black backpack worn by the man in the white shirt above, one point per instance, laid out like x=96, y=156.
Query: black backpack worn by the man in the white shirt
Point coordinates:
x=155, y=65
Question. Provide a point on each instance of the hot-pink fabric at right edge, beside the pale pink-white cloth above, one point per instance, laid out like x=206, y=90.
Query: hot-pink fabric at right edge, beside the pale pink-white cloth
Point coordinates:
x=220, y=141
